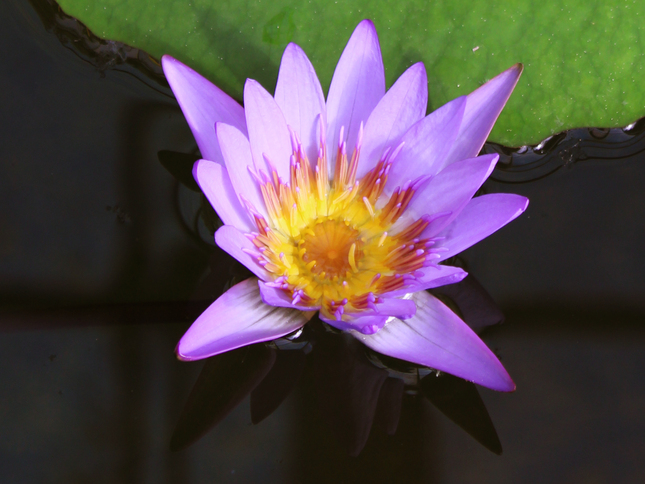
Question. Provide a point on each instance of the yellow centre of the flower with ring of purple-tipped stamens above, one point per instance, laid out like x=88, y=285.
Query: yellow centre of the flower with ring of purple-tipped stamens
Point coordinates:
x=326, y=242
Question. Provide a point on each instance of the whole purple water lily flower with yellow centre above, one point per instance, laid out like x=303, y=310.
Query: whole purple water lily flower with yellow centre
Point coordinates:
x=347, y=207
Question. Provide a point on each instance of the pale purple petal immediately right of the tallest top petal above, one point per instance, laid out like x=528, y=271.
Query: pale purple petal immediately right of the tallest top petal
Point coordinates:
x=402, y=106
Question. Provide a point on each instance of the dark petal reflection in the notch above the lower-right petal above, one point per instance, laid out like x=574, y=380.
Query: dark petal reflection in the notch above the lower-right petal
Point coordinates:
x=476, y=307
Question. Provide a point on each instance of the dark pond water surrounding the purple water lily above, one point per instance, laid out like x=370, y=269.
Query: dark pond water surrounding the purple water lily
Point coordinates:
x=105, y=259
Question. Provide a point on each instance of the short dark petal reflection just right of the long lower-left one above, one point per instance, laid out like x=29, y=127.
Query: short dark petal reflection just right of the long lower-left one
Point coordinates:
x=277, y=385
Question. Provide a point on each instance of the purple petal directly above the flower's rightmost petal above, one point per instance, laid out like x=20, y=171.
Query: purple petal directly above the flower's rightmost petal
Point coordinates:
x=452, y=189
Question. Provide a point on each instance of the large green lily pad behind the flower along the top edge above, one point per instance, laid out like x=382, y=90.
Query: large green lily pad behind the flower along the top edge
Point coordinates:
x=582, y=58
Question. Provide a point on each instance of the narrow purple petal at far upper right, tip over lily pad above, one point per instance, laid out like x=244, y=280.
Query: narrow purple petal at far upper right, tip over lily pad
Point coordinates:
x=482, y=109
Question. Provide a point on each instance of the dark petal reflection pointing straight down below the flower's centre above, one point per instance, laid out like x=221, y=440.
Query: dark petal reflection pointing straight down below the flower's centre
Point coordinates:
x=348, y=388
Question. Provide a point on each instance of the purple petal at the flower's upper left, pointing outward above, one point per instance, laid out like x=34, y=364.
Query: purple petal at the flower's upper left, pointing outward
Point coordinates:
x=203, y=104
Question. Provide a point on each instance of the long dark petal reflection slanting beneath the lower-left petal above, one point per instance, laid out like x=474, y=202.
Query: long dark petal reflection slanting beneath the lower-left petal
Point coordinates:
x=223, y=383
